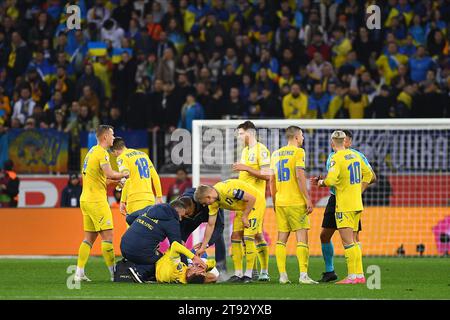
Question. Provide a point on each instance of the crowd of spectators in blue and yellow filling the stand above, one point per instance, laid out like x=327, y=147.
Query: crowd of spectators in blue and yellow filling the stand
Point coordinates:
x=165, y=63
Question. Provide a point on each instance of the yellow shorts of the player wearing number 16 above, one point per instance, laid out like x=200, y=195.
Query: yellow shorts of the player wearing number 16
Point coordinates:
x=292, y=218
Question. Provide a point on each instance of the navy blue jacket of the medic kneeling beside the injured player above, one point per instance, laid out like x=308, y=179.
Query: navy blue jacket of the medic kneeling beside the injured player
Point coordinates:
x=149, y=227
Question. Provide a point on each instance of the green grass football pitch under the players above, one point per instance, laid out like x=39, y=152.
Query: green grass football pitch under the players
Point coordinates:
x=400, y=278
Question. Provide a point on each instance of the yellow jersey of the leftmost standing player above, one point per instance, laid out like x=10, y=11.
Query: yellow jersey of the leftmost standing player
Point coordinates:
x=94, y=179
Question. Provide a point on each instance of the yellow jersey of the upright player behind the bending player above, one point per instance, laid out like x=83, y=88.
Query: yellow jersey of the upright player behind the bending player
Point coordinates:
x=255, y=157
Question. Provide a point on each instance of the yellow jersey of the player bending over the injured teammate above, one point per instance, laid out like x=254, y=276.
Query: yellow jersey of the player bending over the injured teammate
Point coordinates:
x=231, y=193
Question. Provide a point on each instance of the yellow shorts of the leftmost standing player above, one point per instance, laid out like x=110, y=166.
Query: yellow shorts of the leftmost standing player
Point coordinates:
x=97, y=216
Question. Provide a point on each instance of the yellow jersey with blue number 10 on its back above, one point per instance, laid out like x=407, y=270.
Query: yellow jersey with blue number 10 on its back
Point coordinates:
x=346, y=173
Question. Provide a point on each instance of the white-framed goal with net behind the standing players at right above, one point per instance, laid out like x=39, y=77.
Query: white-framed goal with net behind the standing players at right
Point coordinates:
x=406, y=212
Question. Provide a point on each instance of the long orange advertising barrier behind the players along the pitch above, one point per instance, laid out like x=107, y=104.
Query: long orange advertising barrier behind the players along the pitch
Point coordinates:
x=59, y=231
